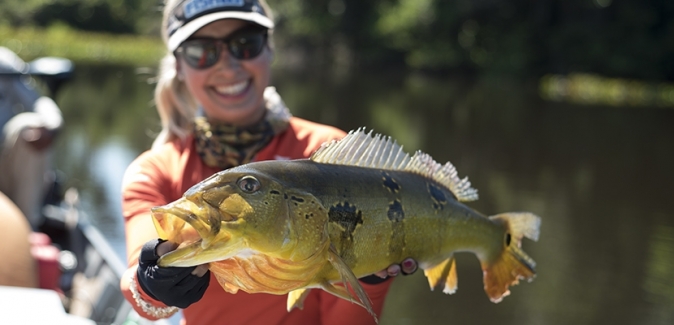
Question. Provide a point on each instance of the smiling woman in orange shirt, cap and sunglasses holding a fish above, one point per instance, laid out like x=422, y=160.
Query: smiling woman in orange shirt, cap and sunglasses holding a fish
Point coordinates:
x=217, y=112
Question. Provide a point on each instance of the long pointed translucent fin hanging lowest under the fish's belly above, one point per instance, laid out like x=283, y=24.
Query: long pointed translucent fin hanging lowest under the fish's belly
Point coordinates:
x=348, y=278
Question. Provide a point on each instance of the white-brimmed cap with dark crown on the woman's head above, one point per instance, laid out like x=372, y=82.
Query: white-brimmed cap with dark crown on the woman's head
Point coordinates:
x=190, y=15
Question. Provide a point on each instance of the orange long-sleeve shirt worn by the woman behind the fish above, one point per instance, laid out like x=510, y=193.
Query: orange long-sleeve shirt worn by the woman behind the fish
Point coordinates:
x=161, y=176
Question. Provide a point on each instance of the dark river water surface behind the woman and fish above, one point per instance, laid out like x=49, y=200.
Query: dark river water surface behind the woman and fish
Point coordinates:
x=599, y=176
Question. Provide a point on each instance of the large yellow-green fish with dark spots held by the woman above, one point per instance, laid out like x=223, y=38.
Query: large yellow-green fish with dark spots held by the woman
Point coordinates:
x=356, y=206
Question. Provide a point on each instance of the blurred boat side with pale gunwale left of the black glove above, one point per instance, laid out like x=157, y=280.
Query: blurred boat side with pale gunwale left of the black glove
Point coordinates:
x=91, y=268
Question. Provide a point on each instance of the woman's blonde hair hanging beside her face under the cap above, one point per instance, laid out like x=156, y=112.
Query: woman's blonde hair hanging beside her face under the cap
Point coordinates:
x=175, y=104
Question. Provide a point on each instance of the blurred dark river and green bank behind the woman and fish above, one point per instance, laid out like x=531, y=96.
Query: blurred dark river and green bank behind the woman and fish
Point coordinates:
x=564, y=108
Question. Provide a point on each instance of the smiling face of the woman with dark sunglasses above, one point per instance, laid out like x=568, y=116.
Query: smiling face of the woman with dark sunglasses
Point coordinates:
x=230, y=88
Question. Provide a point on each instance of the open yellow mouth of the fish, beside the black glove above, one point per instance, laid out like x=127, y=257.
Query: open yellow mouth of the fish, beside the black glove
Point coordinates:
x=195, y=227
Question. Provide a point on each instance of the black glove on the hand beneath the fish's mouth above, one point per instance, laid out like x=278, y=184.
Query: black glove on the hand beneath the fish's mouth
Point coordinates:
x=174, y=286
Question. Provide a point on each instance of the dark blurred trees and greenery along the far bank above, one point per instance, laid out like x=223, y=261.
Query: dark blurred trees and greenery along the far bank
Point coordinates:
x=627, y=38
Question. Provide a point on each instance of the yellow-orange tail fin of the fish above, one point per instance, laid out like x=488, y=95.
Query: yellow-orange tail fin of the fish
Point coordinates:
x=512, y=264
